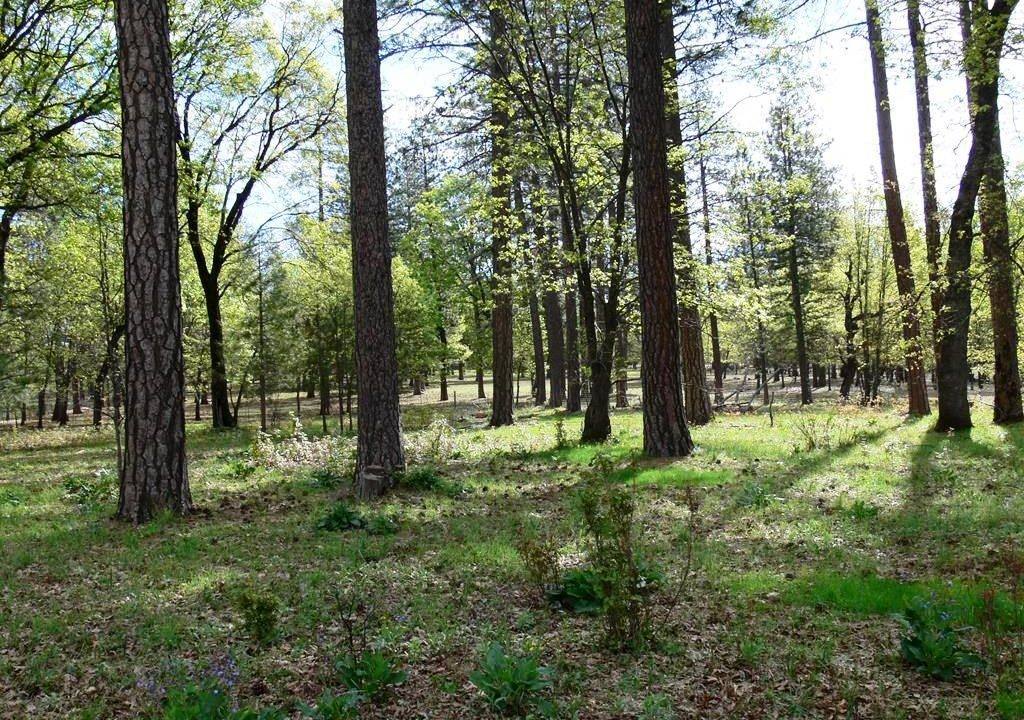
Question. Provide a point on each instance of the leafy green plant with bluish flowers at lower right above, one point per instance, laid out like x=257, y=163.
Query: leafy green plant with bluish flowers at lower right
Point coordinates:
x=933, y=644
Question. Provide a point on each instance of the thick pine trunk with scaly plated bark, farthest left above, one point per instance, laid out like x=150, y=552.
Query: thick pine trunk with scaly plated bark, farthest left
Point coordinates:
x=154, y=475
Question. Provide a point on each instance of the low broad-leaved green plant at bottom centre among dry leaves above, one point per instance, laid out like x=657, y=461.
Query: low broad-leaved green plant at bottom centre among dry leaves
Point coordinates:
x=513, y=685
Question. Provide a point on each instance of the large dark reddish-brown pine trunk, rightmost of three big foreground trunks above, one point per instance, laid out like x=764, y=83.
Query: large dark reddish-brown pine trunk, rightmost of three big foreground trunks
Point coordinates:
x=665, y=429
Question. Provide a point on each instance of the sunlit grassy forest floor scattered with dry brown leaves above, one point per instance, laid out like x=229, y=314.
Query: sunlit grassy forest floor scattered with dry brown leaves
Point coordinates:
x=817, y=530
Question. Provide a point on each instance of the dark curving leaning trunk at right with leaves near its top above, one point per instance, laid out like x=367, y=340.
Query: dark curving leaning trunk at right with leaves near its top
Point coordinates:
x=953, y=370
